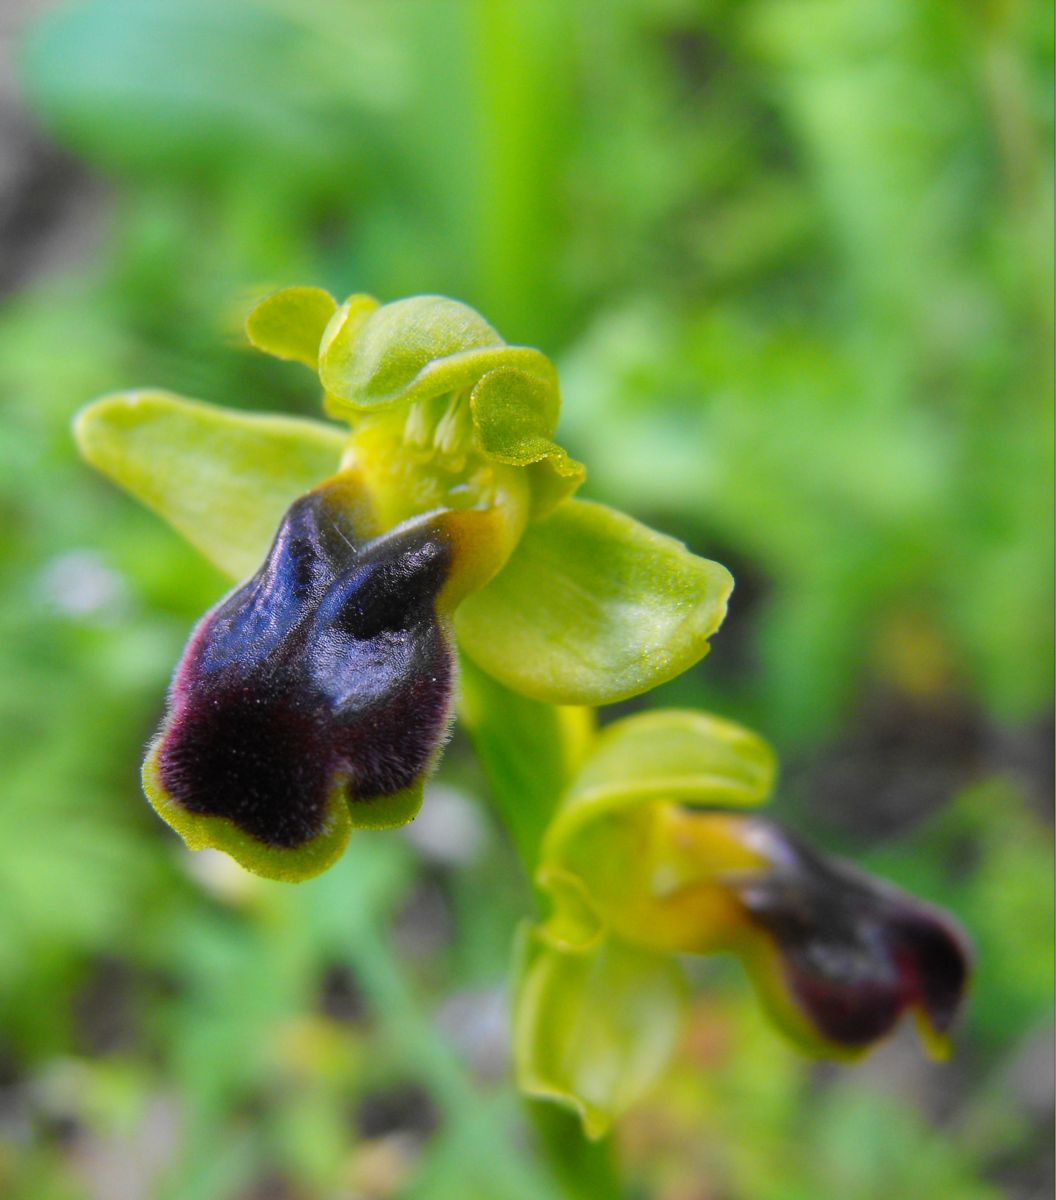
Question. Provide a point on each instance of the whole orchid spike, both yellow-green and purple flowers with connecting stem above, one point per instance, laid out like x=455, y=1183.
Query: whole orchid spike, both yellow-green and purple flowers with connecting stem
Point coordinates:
x=435, y=536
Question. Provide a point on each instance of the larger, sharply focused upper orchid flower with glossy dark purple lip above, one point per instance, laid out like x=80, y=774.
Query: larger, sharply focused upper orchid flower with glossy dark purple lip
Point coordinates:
x=440, y=513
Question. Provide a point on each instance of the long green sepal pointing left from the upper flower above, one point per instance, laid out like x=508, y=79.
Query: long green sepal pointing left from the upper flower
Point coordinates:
x=223, y=479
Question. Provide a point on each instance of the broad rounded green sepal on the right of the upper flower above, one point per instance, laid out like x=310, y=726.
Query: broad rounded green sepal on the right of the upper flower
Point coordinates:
x=595, y=608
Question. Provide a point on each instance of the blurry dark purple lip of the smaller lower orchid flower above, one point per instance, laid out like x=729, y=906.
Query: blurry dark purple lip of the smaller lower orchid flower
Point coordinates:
x=855, y=953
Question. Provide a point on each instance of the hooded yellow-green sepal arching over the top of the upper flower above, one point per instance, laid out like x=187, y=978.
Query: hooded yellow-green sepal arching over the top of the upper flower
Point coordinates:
x=413, y=350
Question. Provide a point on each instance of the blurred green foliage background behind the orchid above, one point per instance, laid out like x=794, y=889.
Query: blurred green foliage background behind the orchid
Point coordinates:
x=794, y=261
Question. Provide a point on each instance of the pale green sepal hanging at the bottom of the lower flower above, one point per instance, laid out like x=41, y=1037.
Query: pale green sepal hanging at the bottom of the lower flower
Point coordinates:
x=595, y=1031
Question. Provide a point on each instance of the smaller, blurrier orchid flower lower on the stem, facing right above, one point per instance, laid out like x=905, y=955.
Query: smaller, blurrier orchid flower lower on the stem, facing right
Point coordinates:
x=653, y=855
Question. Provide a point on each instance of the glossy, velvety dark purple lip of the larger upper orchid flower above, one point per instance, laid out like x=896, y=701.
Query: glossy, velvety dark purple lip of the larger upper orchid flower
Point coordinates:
x=329, y=669
